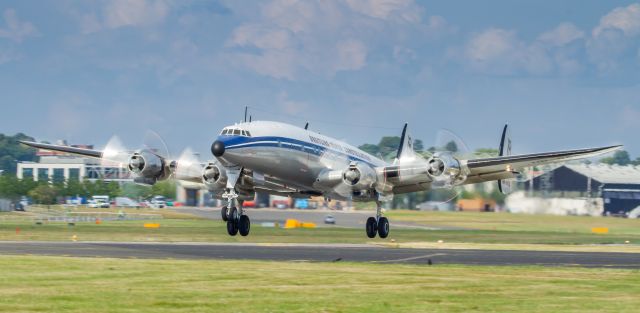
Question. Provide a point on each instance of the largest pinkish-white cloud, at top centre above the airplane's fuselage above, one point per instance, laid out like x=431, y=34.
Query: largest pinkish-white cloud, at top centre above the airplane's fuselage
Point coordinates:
x=292, y=38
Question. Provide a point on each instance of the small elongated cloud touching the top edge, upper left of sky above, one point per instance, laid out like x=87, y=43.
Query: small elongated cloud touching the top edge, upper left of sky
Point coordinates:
x=120, y=13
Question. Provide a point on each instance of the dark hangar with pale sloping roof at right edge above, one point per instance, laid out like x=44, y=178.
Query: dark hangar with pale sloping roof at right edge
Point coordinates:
x=617, y=186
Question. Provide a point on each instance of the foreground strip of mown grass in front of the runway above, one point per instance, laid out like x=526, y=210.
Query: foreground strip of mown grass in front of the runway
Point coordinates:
x=112, y=285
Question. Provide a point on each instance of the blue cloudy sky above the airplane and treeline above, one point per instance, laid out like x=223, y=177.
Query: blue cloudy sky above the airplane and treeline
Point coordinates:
x=563, y=74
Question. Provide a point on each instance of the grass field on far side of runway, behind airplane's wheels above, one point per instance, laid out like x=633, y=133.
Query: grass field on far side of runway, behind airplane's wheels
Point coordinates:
x=477, y=230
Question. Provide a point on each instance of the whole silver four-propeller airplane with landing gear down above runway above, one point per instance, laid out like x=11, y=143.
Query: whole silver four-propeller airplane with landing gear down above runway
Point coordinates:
x=283, y=159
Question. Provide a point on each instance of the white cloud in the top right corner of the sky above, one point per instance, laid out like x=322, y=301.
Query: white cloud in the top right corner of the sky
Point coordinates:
x=625, y=19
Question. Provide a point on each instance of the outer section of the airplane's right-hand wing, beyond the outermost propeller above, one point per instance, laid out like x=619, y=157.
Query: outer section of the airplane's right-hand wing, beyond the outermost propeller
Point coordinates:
x=506, y=167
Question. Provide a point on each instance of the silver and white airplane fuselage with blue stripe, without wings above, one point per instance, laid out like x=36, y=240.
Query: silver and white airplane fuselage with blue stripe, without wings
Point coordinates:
x=291, y=154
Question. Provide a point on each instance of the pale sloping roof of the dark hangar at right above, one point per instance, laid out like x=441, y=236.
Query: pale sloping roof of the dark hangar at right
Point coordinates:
x=608, y=174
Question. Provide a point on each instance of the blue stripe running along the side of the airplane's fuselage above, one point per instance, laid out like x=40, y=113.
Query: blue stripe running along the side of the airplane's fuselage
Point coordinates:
x=238, y=142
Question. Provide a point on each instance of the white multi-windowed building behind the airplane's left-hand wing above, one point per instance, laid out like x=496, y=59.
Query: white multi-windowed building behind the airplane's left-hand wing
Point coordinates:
x=59, y=167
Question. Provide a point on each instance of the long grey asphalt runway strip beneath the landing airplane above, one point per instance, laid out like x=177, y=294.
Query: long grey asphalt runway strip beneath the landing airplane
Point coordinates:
x=321, y=253
